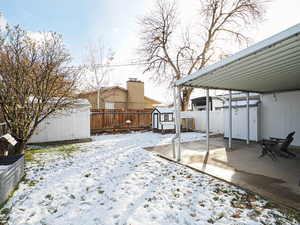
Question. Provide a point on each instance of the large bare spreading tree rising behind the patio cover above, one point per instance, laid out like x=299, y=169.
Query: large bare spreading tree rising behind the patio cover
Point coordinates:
x=171, y=53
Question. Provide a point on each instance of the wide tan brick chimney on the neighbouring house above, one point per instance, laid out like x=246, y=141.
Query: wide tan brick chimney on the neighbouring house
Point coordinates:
x=135, y=96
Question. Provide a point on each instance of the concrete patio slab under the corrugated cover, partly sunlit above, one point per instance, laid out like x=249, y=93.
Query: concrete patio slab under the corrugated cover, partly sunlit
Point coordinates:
x=276, y=180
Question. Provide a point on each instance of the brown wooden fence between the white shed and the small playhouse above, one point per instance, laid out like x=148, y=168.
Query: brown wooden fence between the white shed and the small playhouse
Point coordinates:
x=117, y=120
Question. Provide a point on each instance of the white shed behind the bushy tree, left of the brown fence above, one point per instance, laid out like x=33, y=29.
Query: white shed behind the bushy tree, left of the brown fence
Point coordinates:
x=71, y=124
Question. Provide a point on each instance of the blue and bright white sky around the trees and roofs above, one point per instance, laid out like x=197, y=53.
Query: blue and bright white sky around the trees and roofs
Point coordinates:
x=115, y=22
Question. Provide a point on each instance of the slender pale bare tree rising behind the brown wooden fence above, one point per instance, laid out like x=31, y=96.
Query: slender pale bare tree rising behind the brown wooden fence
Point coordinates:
x=99, y=59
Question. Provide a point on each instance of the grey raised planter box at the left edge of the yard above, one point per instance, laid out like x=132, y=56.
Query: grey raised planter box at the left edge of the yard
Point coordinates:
x=11, y=172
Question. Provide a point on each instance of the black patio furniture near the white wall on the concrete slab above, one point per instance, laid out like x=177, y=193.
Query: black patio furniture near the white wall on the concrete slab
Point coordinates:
x=278, y=146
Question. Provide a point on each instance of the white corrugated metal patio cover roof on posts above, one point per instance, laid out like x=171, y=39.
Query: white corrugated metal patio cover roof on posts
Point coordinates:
x=272, y=65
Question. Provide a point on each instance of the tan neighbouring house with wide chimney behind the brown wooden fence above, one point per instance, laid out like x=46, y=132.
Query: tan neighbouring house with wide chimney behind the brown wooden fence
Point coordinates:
x=120, y=98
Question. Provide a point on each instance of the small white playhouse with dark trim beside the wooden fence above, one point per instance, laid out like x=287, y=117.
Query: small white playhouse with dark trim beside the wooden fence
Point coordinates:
x=163, y=120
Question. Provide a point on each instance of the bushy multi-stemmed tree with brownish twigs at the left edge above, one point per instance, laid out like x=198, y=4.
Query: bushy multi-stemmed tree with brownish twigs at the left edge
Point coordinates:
x=36, y=81
